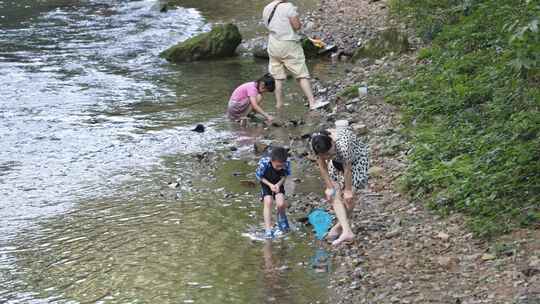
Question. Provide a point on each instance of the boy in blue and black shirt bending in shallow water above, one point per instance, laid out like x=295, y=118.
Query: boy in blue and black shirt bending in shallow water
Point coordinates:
x=271, y=173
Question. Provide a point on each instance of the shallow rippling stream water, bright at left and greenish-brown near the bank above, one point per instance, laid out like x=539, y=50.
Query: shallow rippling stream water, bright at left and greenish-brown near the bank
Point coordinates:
x=93, y=125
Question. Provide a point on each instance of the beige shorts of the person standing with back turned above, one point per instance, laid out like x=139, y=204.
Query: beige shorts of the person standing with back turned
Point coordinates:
x=286, y=55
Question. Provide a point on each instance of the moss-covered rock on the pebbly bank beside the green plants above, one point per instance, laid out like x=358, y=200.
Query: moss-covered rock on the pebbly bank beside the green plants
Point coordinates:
x=387, y=41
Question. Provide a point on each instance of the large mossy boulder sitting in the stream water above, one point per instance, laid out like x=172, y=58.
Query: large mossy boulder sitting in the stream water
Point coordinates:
x=220, y=42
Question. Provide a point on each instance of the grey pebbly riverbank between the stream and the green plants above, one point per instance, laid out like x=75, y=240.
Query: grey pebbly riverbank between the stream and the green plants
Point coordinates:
x=403, y=252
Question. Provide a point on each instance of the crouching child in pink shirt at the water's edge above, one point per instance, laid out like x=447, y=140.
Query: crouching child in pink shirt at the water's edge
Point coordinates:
x=248, y=97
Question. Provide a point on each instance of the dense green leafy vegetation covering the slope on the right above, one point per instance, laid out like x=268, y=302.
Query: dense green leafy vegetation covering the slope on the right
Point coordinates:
x=472, y=110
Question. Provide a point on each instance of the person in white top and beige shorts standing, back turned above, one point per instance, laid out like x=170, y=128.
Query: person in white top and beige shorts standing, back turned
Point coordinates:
x=285, y=50
